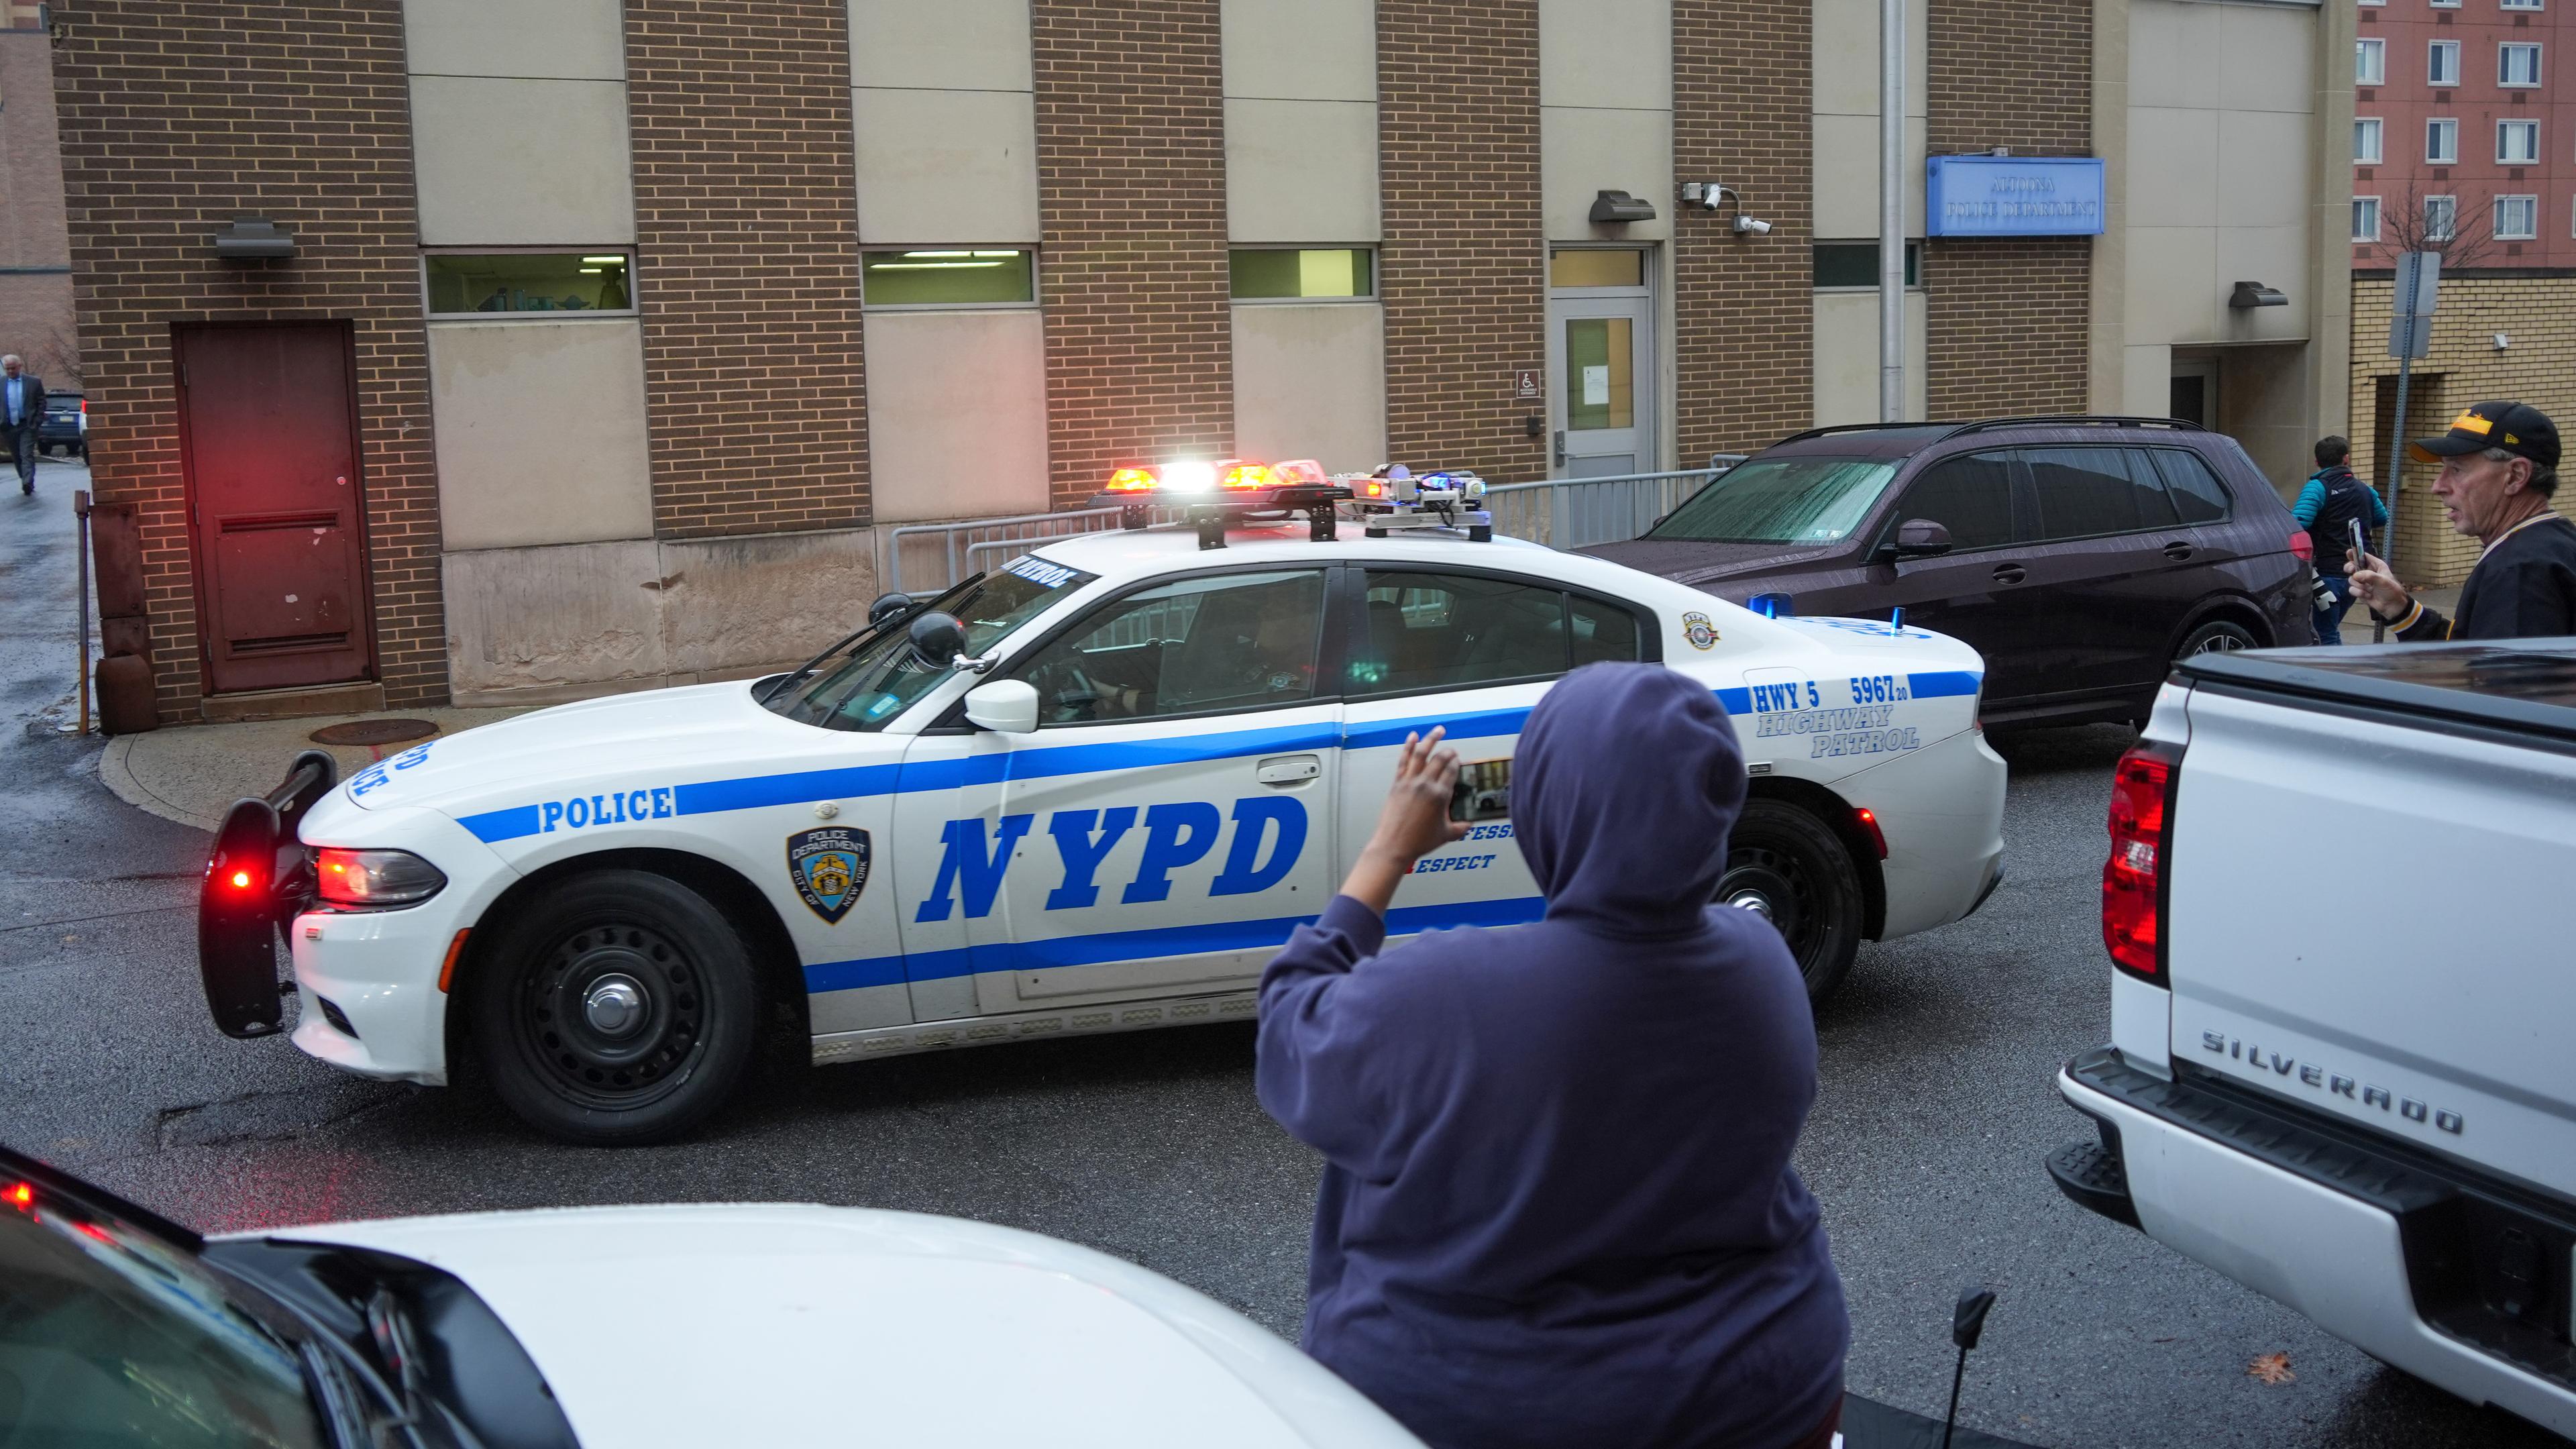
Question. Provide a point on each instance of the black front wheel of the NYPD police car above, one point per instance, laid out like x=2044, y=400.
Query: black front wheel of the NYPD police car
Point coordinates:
x=620, y=1007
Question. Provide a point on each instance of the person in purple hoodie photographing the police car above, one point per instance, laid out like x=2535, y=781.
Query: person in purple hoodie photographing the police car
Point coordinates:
x=1557, y=1200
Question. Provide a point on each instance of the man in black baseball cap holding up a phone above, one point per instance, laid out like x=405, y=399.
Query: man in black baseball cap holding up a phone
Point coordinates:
x=2500, y=465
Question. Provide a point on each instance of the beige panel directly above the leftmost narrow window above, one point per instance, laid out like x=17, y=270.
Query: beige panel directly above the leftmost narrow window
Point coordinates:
x=524, y=164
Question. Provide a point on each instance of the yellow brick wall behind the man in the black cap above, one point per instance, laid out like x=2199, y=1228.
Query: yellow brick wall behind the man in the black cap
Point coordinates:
x=2539, y=367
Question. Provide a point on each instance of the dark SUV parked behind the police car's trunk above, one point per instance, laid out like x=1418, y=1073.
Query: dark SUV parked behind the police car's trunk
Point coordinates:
x=2080, y=556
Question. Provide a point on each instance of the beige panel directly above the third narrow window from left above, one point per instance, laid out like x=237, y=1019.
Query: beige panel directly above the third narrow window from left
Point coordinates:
x=1302, y=171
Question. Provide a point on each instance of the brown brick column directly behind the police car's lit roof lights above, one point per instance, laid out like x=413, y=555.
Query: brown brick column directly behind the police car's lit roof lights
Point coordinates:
x=1132, y=208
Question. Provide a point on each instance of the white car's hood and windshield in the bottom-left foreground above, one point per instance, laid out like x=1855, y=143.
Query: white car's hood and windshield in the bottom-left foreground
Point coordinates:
x=625, y=1327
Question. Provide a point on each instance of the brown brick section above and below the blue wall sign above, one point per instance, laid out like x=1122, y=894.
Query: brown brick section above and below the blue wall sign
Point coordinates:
x=2008, y=318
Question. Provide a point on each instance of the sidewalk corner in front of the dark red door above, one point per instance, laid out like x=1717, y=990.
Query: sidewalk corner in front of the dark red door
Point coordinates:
x=194, y=772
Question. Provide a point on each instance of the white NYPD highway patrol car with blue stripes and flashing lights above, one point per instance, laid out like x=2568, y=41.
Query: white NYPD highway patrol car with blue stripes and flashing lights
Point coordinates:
x=1091, y=790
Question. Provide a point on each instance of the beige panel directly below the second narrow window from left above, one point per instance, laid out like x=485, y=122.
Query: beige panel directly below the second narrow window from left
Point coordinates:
x=957, y=414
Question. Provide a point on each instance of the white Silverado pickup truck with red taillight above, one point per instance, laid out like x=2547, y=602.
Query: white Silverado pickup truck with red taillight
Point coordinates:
x=2343, y=1061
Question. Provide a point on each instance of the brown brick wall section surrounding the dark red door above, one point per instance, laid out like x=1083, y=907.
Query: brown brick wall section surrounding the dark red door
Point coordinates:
x=176, y=120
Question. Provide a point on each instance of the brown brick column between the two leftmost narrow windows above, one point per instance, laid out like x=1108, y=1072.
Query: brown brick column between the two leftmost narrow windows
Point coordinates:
x=748, y=264
